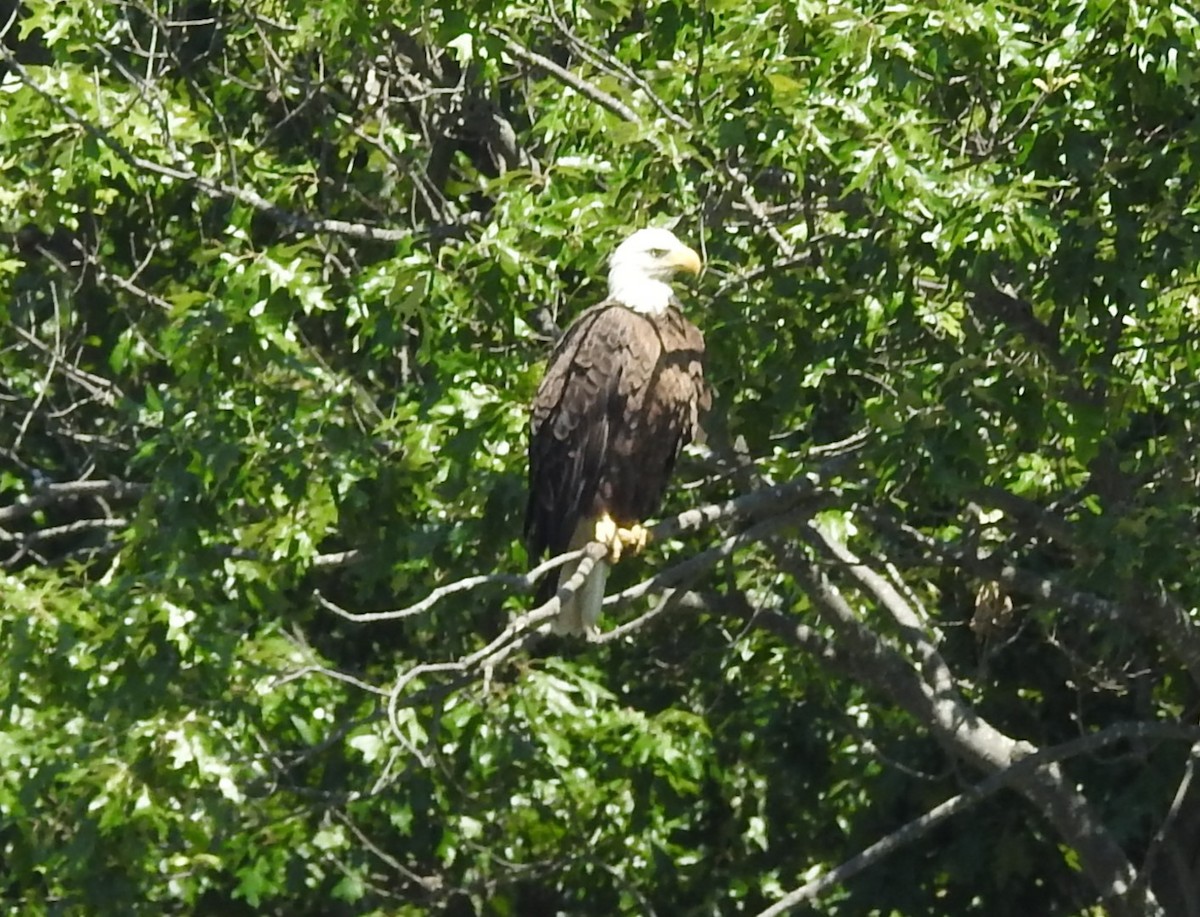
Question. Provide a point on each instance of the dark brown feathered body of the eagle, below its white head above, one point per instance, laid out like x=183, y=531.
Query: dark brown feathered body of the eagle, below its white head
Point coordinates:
x=623, y=394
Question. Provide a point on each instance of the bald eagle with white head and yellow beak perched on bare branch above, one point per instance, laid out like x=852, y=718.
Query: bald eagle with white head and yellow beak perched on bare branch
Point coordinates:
x=623, y=394
